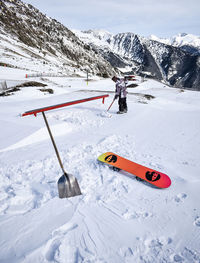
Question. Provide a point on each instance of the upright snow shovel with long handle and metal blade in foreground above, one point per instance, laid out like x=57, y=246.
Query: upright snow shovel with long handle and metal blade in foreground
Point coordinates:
x=67, y=184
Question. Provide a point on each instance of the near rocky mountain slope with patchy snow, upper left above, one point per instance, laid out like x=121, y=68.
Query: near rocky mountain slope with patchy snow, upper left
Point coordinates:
x=27, y=33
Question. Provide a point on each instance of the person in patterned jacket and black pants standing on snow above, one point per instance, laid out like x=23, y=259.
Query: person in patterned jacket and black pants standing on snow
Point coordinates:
x=120, y=92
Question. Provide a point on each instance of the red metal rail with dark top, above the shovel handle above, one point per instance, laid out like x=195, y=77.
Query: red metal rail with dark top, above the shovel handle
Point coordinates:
x=36, y=111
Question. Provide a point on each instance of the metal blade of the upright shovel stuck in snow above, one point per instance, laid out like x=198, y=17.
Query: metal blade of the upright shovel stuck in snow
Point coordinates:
x=68, y=186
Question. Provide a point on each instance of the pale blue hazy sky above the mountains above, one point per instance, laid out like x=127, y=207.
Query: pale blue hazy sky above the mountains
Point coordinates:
x=144, y=17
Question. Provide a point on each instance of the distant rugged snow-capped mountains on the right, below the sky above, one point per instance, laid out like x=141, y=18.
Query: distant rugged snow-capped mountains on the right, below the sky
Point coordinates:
x=173, y=64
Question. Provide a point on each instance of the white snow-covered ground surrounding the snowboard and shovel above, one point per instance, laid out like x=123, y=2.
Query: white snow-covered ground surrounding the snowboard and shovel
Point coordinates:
x=117, y=218
